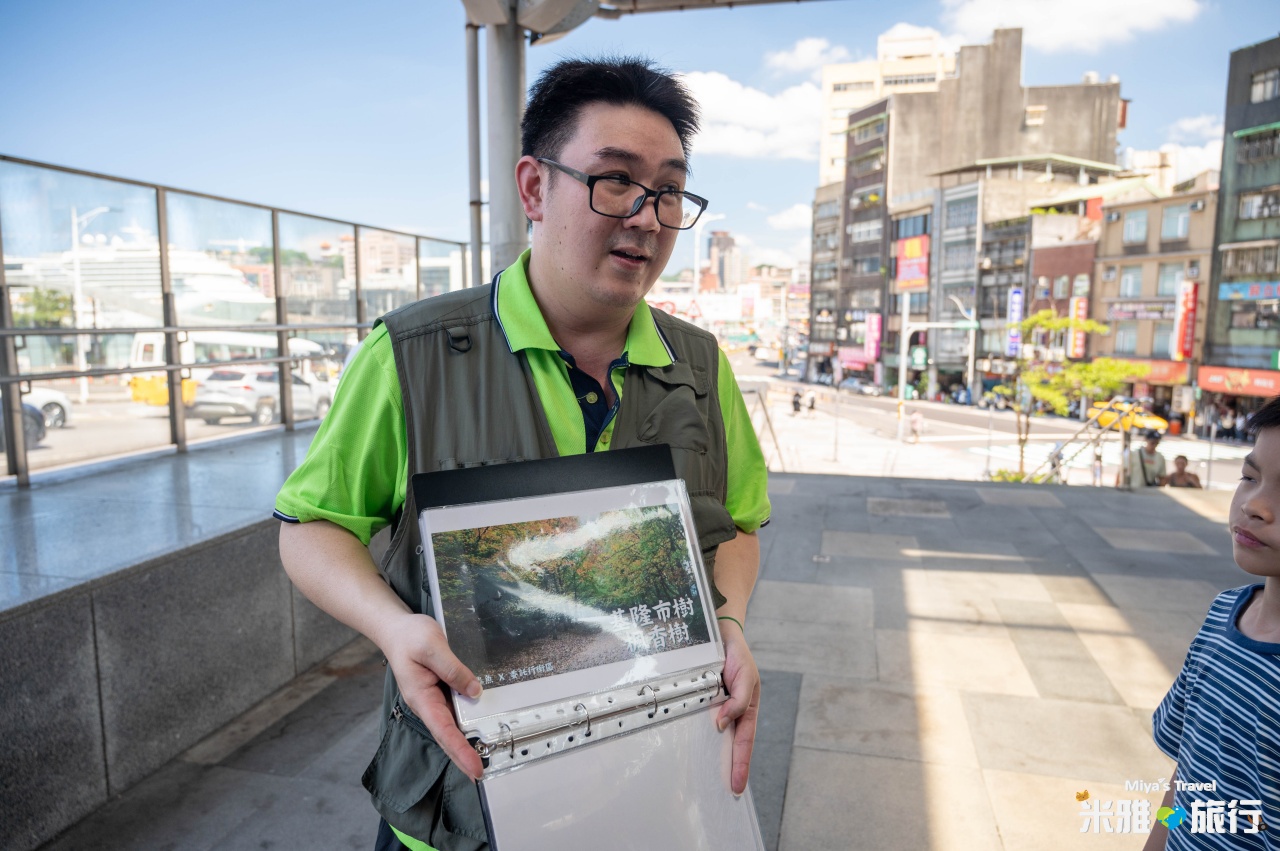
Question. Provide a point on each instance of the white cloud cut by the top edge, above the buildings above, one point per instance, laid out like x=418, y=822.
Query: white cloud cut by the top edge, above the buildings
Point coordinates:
x=1053, y=26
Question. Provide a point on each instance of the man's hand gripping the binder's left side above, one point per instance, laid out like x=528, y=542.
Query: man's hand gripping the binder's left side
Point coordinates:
x=422, y=661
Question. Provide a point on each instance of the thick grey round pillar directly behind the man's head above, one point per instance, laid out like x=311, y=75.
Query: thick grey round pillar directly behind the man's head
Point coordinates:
x=505, y=49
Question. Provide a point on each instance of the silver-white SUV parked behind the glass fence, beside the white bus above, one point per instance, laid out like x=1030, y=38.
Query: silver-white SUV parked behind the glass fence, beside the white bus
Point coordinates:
x=254, y=392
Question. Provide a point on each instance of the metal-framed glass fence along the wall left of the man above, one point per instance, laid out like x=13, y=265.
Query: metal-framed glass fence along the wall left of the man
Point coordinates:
x=136, y=317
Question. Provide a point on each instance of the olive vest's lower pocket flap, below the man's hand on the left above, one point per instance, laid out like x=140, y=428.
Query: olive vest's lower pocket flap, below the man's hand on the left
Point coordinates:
x=408, y=765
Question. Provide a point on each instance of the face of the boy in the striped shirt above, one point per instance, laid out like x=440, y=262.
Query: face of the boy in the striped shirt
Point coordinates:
x=1255, y=533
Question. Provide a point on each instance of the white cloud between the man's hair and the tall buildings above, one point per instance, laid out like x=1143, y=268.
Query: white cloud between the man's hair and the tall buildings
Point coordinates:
x=739, y=121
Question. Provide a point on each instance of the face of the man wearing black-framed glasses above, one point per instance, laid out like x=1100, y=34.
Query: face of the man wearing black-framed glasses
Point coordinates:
x=612, y=263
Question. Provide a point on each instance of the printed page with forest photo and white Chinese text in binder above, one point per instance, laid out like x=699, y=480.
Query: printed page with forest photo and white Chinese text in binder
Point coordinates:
x=546, y=598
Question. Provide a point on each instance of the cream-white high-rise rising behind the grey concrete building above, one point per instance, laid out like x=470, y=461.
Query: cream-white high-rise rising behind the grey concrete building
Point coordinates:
x=909, y=61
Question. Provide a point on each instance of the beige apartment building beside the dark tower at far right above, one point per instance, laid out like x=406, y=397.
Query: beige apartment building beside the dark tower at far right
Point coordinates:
x=1153, y=268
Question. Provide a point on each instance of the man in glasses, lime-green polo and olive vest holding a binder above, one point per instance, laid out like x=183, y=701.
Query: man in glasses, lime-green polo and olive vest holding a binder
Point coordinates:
x=559, y=356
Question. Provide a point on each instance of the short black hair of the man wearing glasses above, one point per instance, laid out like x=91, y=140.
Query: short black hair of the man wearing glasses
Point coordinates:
x=559, y=95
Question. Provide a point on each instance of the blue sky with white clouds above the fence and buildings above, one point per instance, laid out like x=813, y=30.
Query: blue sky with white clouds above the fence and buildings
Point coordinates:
x=358, y=112
